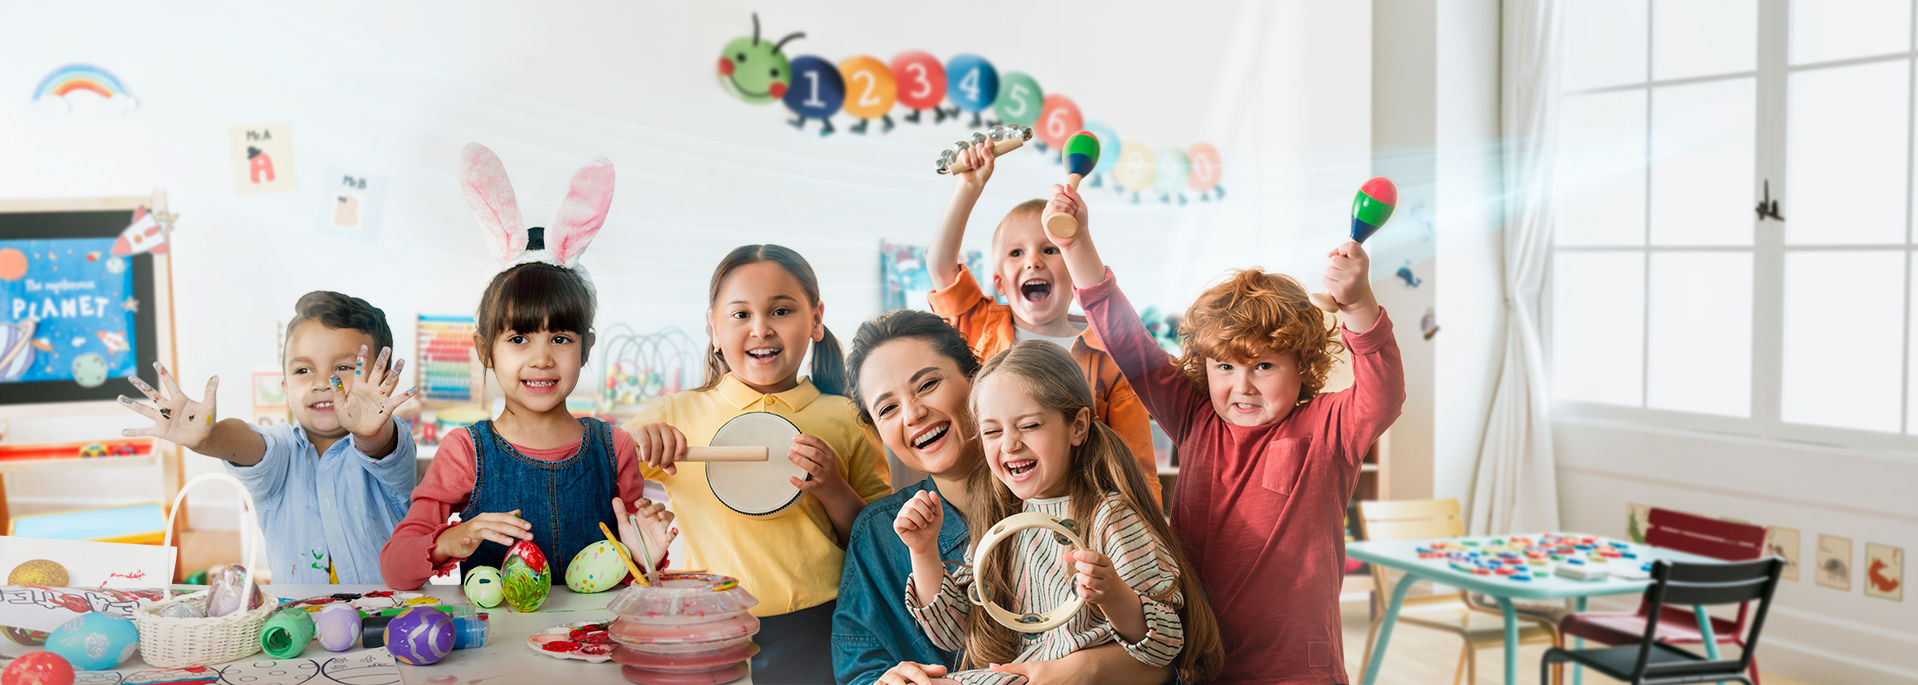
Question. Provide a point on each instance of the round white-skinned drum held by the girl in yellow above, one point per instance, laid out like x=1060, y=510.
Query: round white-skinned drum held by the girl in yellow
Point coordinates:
x=757, y=488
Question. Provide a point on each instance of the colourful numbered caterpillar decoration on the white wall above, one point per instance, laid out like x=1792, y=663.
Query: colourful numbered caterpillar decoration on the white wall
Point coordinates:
x=868, y=89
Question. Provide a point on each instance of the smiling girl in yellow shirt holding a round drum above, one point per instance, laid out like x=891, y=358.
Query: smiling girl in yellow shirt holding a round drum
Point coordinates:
x=764, y=314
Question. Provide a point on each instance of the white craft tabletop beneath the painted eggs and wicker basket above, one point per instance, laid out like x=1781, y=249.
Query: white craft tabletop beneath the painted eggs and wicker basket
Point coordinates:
x=503, y=661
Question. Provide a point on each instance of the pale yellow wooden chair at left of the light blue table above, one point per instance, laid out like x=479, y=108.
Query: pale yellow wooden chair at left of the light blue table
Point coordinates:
x=1428, y=519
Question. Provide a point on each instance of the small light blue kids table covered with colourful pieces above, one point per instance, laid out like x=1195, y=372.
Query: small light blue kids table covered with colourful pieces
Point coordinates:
x=1516, y=567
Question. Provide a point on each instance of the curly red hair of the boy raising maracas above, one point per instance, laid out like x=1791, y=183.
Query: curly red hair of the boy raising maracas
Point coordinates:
x=1257, y=312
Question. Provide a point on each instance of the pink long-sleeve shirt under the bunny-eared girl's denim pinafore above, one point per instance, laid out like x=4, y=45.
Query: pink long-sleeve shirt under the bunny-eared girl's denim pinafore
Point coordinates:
x=408, y=563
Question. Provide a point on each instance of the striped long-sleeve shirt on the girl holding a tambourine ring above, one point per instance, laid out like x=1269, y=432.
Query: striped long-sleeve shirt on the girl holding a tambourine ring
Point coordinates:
x=1044, y=580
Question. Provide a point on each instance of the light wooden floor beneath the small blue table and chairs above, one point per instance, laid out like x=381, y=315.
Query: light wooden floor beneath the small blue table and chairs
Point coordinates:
x=1426, y=657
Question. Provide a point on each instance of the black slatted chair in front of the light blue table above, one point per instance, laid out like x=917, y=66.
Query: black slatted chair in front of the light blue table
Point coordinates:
x=1652, y=663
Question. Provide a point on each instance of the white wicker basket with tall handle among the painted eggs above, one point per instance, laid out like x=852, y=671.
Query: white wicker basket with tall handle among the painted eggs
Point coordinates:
x=204, y=642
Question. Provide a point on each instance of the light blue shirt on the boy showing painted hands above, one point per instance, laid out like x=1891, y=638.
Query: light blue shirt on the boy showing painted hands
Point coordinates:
x=333, y=509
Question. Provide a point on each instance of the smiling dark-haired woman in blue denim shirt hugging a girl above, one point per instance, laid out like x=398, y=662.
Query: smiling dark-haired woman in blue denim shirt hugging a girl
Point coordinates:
x=910, y=377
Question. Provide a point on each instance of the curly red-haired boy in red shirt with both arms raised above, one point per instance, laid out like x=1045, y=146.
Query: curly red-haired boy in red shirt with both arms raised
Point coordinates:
x=1267, y=461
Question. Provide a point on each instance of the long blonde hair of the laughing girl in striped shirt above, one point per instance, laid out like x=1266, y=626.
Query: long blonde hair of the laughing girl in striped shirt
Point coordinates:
x=1100, y=465
